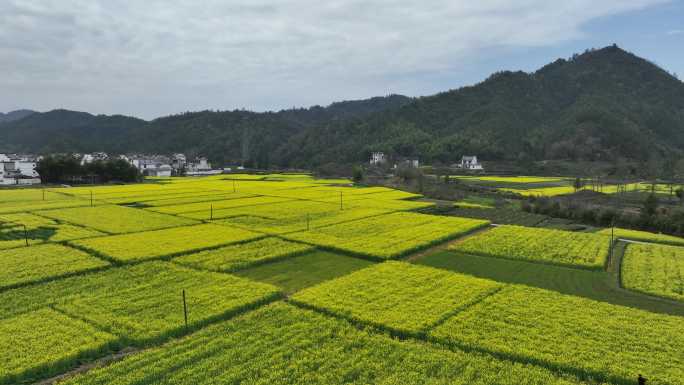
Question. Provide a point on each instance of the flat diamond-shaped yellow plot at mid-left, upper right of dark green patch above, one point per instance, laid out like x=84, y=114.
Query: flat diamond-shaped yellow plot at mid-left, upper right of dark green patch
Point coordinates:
x=116, y=219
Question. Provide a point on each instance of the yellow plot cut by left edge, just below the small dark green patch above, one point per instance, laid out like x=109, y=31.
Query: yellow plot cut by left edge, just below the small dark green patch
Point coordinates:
x=37, y=263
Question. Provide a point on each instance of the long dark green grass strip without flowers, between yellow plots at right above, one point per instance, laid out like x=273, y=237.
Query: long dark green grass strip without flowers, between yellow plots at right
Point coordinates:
x=596, y=285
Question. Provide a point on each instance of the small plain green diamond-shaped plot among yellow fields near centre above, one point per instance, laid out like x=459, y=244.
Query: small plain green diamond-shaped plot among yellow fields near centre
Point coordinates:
x=296, y=273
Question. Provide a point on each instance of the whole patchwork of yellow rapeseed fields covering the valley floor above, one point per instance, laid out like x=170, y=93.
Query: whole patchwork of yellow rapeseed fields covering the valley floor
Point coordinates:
x=284, y=278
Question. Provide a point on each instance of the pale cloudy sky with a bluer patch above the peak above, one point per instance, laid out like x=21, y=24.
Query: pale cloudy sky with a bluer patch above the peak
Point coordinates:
x=158, y=57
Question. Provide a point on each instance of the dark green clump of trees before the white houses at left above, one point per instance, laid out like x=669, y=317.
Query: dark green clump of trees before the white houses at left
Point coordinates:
x=68, y=169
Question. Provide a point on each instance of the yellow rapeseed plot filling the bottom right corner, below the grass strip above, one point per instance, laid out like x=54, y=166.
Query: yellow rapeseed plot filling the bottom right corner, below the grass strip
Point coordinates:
x=603, y=341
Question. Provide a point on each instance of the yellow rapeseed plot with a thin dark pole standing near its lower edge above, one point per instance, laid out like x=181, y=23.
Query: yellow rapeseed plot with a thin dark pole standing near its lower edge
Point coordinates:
x=152, y=308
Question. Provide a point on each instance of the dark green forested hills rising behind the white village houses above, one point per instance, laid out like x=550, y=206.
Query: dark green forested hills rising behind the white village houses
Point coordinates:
x=601, y=105
